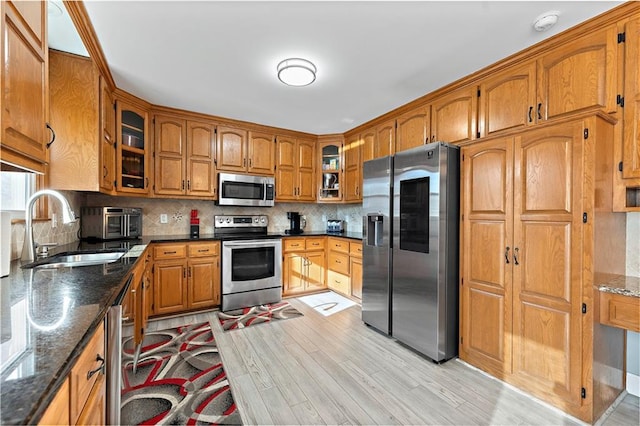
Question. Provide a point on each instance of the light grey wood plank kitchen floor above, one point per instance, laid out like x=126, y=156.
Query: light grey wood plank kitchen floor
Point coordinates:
x=335, y=370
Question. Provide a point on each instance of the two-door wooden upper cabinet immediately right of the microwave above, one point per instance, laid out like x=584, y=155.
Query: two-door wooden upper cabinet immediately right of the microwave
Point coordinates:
x=295, y=169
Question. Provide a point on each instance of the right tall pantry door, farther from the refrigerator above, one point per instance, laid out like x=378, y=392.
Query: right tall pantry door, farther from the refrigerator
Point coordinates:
x=547, y=262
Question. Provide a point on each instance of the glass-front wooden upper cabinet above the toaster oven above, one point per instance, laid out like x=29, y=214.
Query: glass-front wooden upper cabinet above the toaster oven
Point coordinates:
x=133, y=149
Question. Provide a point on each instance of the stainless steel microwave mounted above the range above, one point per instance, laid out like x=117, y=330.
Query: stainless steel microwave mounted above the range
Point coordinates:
x=245, y=190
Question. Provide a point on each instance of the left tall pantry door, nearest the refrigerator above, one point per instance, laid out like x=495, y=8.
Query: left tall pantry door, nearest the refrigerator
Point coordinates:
x=486, y=290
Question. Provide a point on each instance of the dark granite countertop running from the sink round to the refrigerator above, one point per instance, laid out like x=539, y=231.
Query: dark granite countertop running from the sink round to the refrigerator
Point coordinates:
x=49, y=315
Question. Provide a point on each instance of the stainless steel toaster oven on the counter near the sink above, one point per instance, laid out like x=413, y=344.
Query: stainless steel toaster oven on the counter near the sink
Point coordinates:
x=110, y=223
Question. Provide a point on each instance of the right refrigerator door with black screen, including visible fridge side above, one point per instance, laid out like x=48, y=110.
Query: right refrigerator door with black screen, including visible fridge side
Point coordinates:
x=425, y=249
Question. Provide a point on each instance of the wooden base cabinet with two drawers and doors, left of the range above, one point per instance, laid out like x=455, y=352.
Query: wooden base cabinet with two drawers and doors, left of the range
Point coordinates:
x=186, y=277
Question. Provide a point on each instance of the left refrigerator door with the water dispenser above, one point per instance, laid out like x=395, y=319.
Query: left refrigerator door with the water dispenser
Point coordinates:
x=376, y=245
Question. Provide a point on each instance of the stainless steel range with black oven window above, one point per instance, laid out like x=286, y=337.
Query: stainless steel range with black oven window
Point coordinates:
x=251, y=261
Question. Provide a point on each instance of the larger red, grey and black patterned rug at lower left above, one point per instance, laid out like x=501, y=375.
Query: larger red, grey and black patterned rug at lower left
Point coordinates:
x=179, y=379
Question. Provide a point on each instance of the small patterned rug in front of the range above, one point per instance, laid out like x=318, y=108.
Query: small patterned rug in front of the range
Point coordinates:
x=245, y=317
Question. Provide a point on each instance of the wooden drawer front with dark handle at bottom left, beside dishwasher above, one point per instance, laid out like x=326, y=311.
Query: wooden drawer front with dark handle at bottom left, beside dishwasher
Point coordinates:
x=80, y=379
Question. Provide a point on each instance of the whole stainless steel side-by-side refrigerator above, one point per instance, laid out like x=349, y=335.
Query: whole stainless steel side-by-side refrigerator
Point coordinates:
x=410, y=248
